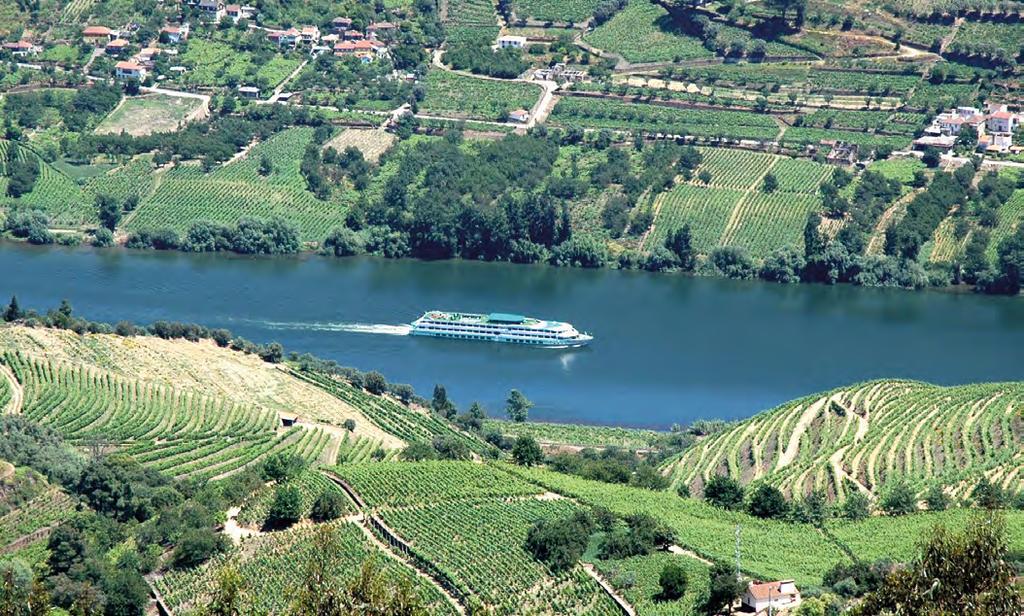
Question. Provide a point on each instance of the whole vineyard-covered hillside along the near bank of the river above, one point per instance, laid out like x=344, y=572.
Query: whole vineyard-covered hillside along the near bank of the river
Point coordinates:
x=373, y=488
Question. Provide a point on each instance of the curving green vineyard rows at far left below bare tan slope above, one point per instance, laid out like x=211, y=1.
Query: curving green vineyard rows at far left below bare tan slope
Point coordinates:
x=182, y=433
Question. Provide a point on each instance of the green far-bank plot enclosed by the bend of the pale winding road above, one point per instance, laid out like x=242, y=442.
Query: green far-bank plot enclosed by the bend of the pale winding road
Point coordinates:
x=460, y=97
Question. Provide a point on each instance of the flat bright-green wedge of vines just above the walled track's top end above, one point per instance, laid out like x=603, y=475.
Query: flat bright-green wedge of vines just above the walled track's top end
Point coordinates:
x=425, y=482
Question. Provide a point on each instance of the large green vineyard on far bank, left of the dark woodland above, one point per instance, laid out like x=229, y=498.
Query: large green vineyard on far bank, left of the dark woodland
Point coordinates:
x=237, y=191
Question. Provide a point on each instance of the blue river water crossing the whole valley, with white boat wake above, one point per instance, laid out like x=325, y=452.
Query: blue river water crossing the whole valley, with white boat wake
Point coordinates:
x=668, y=349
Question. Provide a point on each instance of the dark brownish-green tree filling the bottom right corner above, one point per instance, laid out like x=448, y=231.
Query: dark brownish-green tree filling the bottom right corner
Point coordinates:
x=956, y=574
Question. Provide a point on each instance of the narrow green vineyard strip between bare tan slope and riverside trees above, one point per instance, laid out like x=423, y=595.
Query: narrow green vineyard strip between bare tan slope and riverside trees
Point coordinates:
x=391, y=416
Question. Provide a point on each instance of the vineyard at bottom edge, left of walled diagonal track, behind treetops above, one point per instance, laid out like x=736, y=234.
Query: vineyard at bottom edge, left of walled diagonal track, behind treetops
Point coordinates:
x=278, y=562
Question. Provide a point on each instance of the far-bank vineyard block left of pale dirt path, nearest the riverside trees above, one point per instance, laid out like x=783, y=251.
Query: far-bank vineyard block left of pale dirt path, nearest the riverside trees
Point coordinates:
x=706, y=210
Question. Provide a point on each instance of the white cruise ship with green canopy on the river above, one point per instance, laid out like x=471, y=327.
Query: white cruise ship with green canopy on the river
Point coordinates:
x=498, y=327
